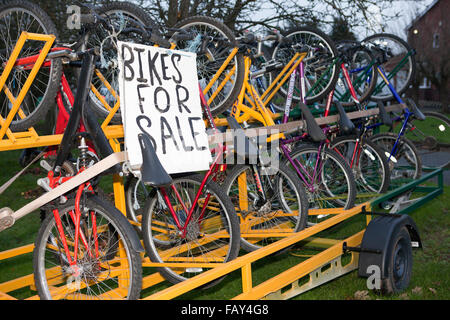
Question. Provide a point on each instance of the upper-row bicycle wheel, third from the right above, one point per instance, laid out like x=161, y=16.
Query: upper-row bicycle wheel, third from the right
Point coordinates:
x=328, y=57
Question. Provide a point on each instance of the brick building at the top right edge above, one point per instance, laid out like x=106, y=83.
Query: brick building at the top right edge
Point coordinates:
x=429, y=34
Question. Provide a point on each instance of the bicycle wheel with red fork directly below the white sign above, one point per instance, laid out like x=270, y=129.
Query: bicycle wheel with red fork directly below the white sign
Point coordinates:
x=211, y=235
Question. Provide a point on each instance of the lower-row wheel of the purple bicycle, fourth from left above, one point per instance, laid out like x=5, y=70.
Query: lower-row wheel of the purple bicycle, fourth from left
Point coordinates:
x=331, y=198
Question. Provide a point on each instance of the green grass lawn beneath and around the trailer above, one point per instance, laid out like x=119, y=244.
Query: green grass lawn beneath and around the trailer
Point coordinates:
x=430, y=278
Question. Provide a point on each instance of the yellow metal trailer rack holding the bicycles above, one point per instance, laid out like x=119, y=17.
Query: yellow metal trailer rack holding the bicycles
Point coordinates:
x=274, y=288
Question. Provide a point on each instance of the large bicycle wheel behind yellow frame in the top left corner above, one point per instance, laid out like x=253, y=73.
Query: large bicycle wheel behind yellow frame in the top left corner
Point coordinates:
x=15, y=17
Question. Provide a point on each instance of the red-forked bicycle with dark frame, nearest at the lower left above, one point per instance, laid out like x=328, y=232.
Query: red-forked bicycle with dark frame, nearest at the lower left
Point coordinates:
x=84, y=240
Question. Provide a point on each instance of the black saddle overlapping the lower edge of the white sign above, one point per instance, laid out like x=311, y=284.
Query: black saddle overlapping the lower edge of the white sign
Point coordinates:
x=152, y=171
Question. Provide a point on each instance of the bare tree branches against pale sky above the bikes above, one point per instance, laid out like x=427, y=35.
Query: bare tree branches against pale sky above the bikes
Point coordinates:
x=243, y=14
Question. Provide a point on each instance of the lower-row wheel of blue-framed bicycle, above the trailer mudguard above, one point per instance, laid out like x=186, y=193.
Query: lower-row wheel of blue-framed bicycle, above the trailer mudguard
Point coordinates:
x=405, y=163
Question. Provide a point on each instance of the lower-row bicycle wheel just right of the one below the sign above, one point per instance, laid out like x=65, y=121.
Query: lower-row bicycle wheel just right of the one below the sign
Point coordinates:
x=281, y=224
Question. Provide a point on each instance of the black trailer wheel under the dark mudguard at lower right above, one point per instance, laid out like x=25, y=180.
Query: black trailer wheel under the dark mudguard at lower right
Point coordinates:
x=399, y=263
